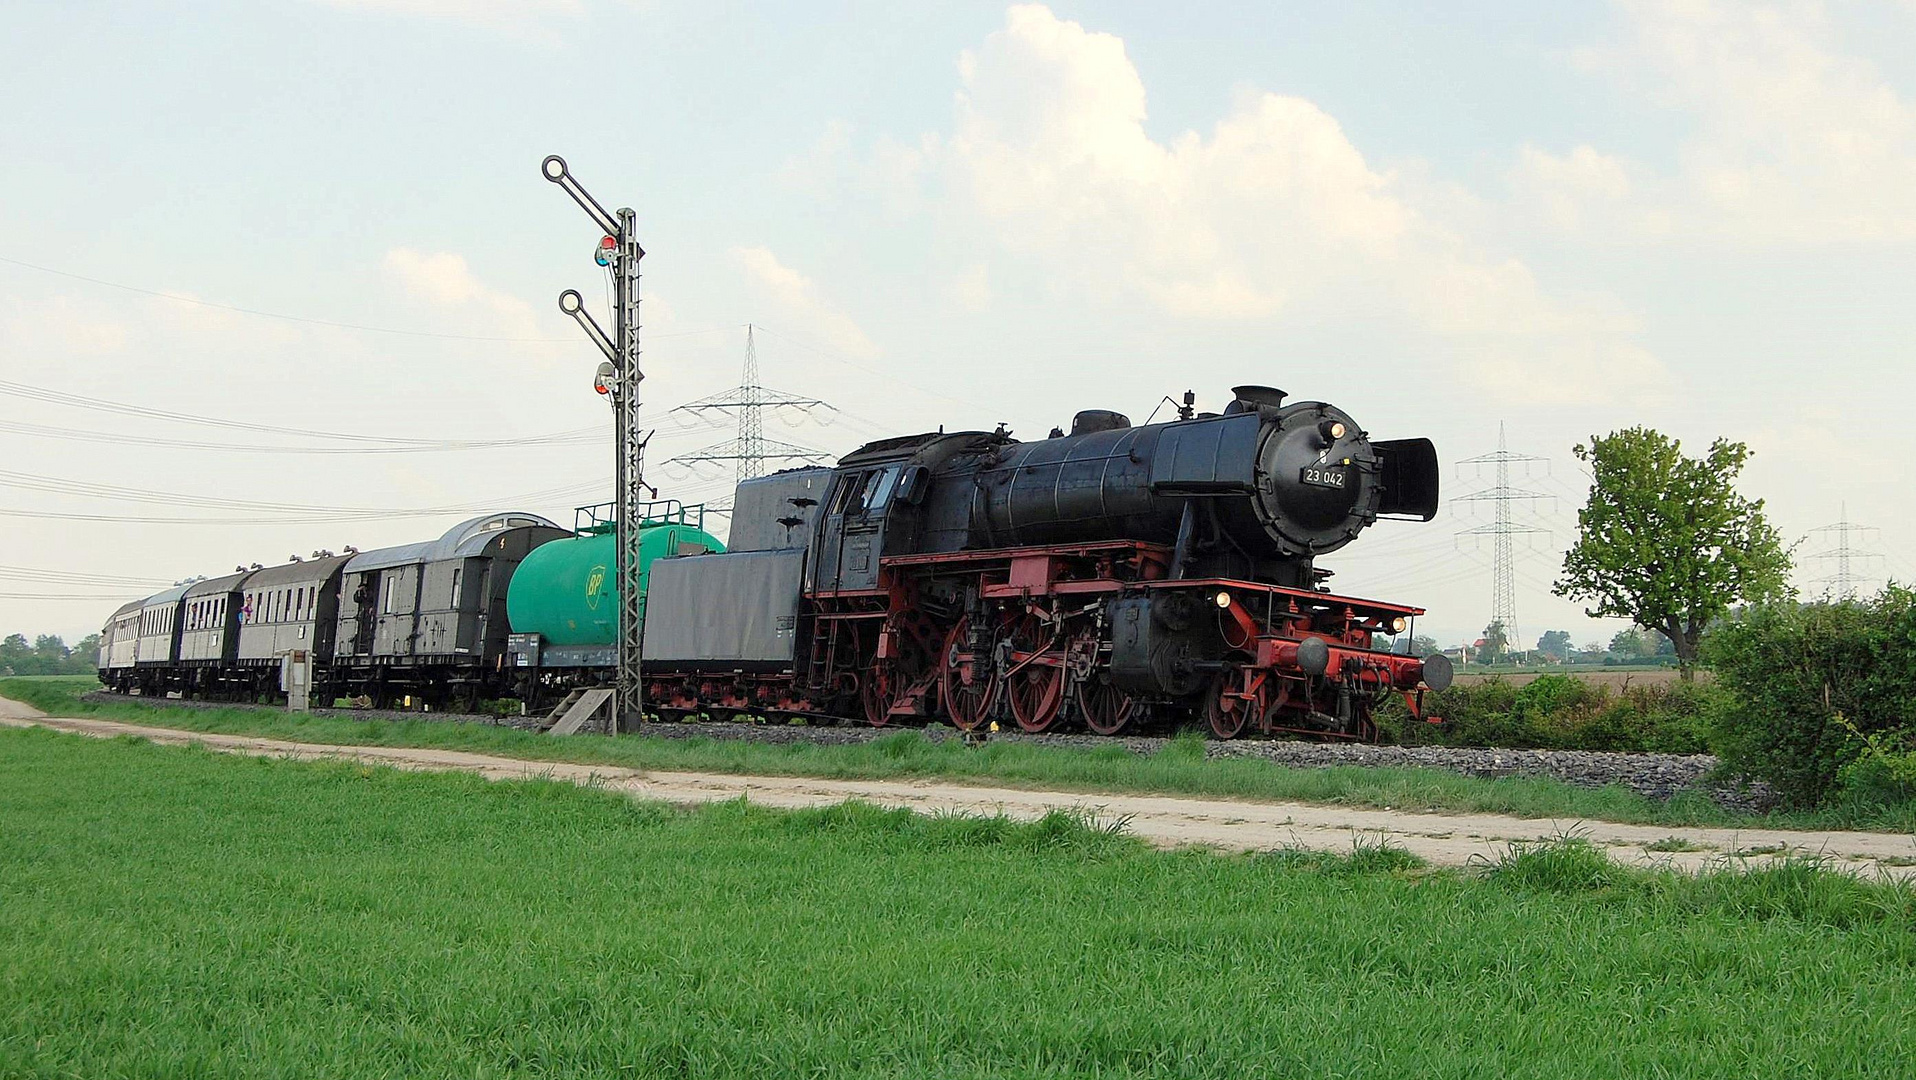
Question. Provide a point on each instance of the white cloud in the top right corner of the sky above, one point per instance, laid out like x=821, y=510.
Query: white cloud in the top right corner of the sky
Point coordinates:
x=1796, y=143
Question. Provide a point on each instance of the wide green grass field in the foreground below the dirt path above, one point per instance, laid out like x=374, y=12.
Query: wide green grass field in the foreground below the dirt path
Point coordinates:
x=173, y=912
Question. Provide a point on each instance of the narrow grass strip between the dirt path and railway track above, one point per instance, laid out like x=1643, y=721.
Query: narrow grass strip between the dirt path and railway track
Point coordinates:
x=1181, y=769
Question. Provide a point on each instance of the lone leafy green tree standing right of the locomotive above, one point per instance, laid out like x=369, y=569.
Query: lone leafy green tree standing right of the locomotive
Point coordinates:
x=1666, y=541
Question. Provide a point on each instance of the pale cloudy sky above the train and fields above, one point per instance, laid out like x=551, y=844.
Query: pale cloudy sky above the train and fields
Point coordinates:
x=271, y=269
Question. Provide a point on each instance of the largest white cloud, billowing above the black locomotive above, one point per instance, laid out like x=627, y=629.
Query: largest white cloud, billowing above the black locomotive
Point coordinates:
x=1271, y=215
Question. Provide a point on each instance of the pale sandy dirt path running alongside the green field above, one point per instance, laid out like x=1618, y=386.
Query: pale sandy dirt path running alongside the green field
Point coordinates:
x=1446, y=840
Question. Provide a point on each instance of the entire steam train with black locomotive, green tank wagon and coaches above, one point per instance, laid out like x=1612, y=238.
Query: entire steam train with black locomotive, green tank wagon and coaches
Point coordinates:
x=1106, y=577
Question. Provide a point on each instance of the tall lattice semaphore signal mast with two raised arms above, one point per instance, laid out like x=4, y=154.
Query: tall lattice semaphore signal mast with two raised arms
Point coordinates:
x=618, y=378
